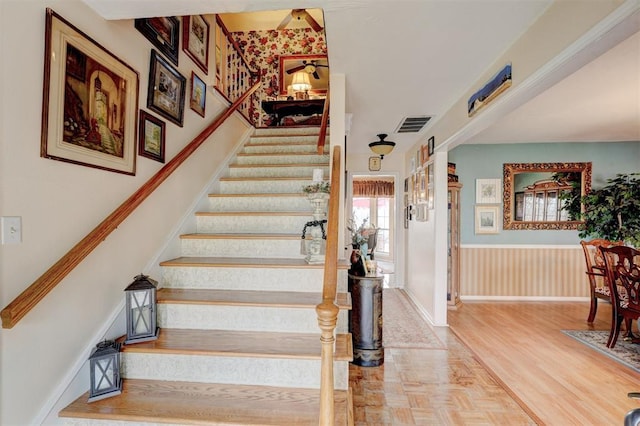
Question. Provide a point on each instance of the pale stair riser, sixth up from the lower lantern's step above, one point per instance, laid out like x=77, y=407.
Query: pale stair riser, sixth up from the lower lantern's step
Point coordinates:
x=260, y=204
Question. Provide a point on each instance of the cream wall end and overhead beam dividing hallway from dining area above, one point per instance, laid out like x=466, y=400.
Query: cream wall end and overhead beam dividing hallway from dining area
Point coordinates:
x=561, y=25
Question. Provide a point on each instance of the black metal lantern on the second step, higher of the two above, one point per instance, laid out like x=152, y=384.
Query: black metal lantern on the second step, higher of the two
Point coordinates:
x=141, y=310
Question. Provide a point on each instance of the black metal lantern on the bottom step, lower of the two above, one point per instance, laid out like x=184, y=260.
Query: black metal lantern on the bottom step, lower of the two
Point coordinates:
x=104, y=368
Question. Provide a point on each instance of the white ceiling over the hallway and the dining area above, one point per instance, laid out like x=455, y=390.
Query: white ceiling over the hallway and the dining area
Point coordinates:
x=418, y=57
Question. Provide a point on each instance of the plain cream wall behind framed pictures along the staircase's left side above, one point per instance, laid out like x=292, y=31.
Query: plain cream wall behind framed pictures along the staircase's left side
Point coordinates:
x=60, y=203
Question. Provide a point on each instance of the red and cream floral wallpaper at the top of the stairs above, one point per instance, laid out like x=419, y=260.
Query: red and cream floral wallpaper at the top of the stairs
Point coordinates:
x=263, y=50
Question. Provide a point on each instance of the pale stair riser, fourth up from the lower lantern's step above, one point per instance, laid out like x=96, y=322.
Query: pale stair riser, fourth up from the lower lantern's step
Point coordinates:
x=242, y=248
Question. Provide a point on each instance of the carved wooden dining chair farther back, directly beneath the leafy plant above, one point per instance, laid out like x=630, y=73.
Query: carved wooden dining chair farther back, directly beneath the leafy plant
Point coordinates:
x=598, y=288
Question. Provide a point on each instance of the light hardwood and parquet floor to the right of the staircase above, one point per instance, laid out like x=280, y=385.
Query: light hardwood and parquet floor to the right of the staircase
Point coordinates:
x=521, y=369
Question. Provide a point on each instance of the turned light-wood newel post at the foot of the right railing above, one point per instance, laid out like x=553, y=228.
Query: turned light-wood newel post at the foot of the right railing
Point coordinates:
x=327, y=319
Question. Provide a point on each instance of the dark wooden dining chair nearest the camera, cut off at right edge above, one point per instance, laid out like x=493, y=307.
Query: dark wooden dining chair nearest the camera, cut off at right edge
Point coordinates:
x=622, y=266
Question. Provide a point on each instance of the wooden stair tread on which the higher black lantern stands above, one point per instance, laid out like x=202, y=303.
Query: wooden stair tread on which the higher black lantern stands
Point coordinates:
x=239, y=343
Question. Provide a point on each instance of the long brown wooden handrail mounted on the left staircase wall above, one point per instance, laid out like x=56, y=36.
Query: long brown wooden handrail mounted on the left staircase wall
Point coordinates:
x=30, y=297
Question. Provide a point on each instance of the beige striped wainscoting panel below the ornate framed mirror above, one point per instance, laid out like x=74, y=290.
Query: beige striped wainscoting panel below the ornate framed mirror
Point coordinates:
x=522, y=272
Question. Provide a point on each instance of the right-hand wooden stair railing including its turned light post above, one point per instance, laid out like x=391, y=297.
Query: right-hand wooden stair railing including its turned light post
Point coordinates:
x=327, y=310
